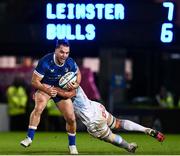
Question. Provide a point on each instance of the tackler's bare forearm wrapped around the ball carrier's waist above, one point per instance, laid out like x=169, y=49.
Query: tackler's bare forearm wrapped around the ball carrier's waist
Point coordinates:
x=65, y=93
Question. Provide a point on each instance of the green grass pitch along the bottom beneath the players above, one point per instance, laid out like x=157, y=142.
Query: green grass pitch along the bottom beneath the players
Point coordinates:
x=56, y=144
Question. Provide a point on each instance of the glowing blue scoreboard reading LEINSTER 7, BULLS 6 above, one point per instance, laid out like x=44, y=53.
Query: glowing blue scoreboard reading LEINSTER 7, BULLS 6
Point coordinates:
x=123, y=21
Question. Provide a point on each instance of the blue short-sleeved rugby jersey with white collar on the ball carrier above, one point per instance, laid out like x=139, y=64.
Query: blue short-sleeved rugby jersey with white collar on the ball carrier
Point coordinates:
x=52, y=72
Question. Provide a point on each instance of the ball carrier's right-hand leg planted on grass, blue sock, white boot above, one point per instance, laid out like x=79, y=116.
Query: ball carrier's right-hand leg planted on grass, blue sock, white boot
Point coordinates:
x=66, y=107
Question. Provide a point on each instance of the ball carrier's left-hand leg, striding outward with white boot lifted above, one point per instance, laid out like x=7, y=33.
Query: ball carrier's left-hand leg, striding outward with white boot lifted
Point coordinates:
x=41, y=99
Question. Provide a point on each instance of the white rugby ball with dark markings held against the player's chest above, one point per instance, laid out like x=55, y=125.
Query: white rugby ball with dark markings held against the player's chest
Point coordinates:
x=65, y=79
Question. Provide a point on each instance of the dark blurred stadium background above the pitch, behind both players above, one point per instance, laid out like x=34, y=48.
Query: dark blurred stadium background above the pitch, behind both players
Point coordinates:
x=127, y=60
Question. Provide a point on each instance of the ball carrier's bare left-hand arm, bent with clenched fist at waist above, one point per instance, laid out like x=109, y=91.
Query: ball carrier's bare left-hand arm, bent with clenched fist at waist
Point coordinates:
x=36, y=83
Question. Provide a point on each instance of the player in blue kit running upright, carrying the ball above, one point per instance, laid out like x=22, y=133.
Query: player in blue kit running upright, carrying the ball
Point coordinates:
x=45, y=78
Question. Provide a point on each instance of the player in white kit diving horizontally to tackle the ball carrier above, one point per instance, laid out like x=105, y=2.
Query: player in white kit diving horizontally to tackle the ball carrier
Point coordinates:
x=100, y=122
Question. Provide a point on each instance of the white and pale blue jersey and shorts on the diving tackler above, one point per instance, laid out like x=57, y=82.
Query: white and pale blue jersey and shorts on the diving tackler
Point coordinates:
x=92, y=114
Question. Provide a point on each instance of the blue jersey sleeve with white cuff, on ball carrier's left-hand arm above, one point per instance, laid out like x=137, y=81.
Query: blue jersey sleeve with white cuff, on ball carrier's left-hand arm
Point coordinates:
x=40, y=68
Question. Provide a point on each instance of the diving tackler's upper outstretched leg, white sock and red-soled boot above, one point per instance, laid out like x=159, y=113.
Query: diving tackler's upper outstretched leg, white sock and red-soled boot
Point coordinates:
x=128, y=125
